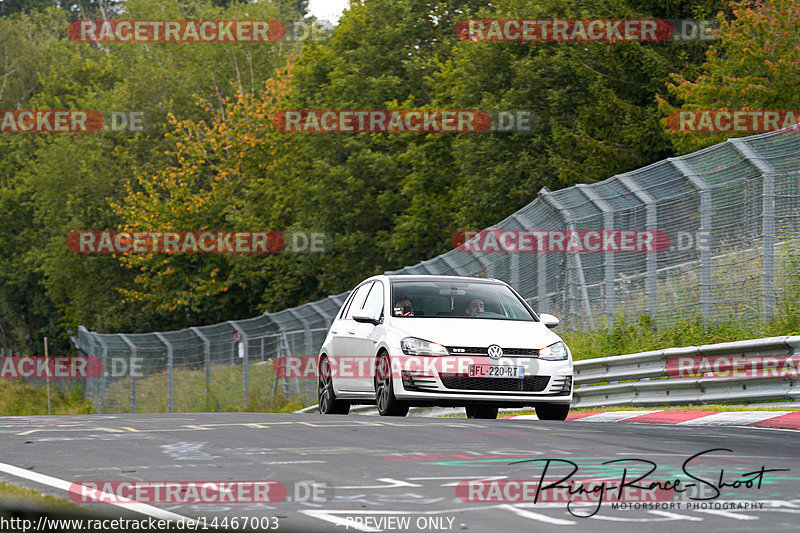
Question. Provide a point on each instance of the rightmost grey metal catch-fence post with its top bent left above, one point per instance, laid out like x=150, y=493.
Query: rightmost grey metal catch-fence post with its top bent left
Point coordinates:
x=768, y=222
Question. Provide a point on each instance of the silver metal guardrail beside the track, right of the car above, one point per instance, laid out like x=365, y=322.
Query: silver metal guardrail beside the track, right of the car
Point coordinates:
x=643, y=379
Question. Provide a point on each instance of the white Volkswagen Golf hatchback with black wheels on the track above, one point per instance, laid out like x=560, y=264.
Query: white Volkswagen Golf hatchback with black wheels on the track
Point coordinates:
x=400, y=341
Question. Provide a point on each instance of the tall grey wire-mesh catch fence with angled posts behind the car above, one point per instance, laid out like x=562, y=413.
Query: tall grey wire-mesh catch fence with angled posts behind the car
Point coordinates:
x=731, y=213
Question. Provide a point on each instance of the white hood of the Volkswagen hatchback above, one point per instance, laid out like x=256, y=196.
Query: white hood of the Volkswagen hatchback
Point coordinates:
x=477, y=332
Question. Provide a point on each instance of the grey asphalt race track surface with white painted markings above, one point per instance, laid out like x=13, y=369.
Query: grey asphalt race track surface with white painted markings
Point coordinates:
x=403, y=474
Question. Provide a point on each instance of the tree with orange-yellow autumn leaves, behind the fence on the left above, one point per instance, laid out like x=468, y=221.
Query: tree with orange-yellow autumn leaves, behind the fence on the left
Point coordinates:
x=214, y=168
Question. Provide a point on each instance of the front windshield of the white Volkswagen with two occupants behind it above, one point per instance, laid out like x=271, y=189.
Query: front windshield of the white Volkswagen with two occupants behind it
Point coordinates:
x=457, y=299
